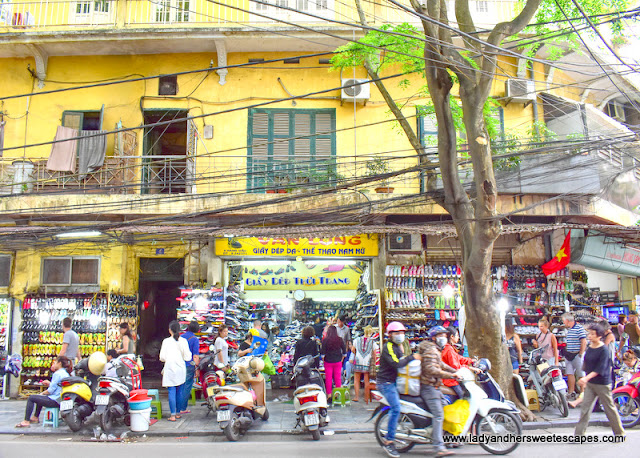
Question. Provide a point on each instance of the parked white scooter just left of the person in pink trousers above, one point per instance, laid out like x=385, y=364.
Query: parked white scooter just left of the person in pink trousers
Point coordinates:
x=309, y=398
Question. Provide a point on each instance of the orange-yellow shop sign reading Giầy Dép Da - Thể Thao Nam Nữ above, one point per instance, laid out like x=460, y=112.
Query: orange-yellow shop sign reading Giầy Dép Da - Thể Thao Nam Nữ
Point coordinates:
x=365, y=245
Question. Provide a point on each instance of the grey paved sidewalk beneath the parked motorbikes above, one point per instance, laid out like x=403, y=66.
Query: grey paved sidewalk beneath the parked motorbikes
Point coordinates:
x=282, y=420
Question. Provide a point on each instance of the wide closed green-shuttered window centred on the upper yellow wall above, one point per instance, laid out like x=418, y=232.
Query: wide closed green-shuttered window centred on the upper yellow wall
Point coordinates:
x=288, y=147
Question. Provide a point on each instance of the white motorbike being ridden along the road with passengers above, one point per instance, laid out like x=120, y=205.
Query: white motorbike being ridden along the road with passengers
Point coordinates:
x=489, y=414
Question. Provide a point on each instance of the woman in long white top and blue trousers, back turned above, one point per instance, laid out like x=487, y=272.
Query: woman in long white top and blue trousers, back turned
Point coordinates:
x=174, y=353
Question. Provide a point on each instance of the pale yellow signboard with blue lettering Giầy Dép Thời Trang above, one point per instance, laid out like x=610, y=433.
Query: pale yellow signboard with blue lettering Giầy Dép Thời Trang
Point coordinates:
x=308, y=276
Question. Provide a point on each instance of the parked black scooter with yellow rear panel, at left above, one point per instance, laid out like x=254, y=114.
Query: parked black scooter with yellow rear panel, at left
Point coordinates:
x=77, y=395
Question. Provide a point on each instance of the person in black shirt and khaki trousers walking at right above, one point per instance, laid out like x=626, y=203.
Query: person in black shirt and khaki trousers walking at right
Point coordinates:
x=597, y=382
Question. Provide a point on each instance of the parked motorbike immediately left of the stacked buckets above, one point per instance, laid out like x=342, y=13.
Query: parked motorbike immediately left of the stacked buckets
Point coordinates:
x=112, y=398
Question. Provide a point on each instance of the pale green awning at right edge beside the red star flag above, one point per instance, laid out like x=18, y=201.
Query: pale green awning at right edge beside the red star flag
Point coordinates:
x=605, y=253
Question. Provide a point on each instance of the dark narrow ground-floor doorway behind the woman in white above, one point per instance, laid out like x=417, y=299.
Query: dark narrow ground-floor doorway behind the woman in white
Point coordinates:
x=160, y=281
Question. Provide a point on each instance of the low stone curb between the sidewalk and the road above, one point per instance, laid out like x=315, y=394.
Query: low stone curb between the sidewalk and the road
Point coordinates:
x=529, y=426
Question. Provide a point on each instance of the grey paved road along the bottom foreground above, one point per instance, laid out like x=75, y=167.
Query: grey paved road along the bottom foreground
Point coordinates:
x=344, y=445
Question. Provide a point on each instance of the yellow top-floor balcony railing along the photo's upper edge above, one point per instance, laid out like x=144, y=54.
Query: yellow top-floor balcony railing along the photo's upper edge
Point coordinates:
x=131, y=14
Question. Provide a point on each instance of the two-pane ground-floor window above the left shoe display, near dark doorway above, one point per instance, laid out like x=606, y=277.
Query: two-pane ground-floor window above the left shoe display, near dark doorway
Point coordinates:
x=66, y=271
